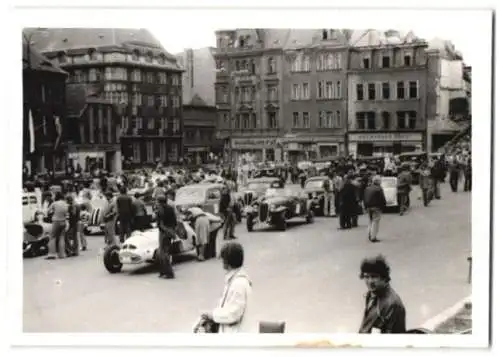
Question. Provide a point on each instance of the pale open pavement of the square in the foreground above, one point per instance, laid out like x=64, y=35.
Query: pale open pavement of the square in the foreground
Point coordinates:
x=306, y=276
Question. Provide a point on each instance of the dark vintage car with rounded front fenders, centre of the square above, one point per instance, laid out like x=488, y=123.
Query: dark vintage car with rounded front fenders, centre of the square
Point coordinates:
x=278, y=206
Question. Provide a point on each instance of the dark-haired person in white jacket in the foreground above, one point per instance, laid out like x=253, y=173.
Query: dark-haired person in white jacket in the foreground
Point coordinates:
x=232, y=313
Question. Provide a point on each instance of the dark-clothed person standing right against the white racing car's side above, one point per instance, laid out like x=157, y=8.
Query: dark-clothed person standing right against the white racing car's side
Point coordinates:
x=167, y=222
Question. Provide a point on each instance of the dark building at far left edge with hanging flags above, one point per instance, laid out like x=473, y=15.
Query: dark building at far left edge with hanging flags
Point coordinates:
x=44, y=116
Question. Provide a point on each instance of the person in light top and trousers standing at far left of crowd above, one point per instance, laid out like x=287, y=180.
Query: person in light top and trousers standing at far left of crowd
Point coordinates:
x=58, y=210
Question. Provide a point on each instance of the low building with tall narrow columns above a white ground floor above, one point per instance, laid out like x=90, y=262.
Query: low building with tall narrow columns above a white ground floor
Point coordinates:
x=94, y=129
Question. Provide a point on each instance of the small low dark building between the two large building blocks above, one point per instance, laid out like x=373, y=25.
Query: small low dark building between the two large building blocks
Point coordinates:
x=200, y=143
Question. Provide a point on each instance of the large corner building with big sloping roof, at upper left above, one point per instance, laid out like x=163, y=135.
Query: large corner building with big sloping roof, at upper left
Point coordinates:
x=130, y=68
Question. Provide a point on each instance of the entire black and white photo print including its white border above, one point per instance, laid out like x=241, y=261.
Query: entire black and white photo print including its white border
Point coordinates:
x=192, y=173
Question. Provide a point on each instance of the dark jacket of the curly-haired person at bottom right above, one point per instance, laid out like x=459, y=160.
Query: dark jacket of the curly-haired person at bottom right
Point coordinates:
x=387, y=313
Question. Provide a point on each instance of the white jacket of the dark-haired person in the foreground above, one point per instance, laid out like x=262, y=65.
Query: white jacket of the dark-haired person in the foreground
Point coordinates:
x=235, y=315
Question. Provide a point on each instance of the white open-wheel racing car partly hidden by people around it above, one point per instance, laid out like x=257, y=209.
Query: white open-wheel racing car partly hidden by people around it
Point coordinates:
x=142, y=247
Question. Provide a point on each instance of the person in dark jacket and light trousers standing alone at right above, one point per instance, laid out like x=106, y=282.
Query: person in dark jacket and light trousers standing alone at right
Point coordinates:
x=374, y=202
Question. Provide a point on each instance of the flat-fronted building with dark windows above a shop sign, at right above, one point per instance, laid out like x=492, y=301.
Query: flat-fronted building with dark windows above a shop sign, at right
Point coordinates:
x=387, y=81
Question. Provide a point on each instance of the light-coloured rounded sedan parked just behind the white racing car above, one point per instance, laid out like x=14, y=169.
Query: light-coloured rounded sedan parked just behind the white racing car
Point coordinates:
x=204, y=195
